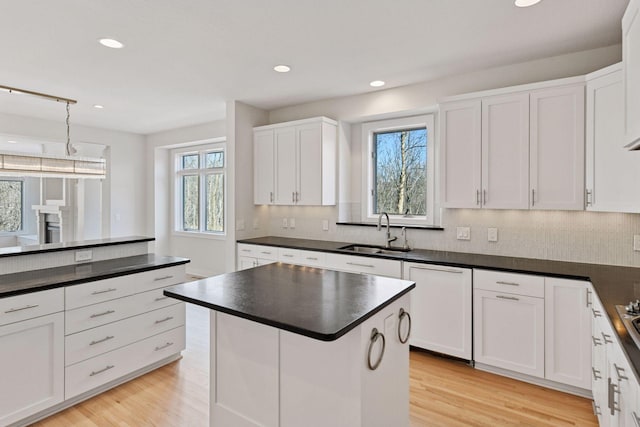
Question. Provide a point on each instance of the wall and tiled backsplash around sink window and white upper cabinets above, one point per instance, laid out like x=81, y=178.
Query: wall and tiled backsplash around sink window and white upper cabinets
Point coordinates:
x=571, y=236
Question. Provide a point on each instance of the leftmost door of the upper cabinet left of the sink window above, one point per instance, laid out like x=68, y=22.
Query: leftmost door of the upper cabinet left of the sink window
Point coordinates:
x=264, y=162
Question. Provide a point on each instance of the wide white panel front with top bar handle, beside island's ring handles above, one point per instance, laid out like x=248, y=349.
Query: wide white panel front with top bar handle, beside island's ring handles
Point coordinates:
x=441, y=308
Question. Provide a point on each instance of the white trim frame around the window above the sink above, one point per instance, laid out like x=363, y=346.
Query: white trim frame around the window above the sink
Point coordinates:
x=368, y=129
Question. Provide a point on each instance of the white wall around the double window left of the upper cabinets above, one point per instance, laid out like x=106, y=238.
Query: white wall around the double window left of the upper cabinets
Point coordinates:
x=207, y=255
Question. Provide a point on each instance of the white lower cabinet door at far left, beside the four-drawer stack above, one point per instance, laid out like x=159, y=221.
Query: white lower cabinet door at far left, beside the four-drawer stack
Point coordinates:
x=31, y=366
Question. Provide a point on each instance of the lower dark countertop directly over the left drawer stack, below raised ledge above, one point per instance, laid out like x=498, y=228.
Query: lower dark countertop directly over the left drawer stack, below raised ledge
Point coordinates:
x=49, y=278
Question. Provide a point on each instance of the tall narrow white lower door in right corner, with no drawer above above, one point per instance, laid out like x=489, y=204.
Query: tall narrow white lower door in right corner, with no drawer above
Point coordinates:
x=567, y=332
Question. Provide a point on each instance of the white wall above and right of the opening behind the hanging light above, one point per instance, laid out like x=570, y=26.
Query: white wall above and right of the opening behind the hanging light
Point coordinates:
x=124, y=187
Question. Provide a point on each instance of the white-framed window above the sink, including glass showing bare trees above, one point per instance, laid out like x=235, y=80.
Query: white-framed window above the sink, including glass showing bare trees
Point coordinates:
x=399, y=171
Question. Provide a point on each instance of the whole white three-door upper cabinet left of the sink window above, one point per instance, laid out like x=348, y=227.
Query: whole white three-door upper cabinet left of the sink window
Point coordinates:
x=295, y=163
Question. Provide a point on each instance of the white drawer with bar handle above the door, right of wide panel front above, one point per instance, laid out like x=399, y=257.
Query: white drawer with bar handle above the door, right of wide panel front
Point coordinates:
x=510, y=283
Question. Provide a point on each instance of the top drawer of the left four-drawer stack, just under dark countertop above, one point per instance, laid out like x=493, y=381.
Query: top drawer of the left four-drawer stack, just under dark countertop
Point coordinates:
x=117, y=287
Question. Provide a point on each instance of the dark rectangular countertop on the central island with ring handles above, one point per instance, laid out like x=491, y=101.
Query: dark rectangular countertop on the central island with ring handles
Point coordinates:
x=317, y=303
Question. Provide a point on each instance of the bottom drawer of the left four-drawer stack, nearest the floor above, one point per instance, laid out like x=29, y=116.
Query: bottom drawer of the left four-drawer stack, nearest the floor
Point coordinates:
x=110, y=366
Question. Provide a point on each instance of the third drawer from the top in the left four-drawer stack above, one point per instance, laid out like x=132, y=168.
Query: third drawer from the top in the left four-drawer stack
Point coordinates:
x=91, y=343
